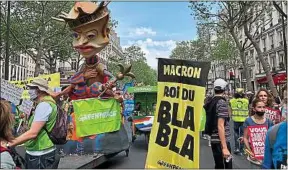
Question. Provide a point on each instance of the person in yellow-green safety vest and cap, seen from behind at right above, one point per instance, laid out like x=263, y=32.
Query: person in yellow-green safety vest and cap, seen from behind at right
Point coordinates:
x=239, y=107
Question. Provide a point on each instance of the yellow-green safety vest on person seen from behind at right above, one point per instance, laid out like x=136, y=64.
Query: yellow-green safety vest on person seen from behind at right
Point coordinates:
x=240, y=109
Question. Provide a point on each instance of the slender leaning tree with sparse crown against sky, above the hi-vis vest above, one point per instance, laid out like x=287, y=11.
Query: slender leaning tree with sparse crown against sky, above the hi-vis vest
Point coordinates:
x=227, y=16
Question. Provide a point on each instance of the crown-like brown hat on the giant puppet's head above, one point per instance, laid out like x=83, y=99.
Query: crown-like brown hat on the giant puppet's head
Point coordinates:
x=83, y=13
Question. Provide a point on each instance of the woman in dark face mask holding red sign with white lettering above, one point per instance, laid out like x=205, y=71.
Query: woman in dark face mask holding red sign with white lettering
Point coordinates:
x=255, y=129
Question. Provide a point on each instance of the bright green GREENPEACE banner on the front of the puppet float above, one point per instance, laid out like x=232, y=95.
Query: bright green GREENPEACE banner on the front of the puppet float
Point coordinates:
x=96, y=116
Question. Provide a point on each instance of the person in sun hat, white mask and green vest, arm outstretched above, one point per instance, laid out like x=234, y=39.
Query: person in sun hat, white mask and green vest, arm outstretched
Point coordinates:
x=40, y=151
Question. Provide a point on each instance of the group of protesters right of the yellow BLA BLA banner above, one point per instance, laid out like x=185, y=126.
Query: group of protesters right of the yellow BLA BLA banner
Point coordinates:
x=259, y=127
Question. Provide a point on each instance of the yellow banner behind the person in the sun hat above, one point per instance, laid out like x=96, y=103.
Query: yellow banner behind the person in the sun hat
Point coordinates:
x=53, y=82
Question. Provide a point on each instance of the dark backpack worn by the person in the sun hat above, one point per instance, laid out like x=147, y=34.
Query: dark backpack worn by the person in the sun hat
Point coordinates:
x=58, y=134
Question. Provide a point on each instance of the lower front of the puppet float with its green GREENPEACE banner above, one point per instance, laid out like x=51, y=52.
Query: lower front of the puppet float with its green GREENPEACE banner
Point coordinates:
x=95, y=128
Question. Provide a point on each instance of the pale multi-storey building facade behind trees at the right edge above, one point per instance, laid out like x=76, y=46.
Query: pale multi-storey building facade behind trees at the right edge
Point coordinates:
x=269, y=37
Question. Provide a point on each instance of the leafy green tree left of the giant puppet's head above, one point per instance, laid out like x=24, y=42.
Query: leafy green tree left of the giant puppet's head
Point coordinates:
x=34, y=30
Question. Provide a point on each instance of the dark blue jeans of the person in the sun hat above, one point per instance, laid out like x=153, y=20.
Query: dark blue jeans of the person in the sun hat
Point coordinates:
x=47, y=161
